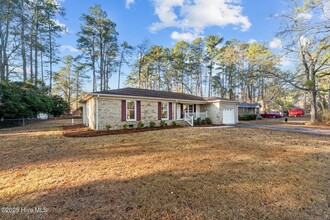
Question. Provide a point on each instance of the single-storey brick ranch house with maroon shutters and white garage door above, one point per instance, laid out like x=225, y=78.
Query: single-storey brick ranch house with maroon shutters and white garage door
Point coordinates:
x=130, y=105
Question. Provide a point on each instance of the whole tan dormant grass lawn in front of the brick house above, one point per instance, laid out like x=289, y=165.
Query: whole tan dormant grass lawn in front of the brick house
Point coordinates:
x=186, y=173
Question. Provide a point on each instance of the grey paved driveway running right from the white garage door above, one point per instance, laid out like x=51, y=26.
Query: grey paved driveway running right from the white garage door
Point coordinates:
x=288, y=128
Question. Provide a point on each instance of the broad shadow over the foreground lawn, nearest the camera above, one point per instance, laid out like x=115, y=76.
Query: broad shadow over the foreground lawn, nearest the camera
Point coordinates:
x=218, y=194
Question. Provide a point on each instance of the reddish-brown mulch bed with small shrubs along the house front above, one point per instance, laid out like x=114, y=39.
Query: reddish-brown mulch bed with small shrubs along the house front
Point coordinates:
x=83, y=131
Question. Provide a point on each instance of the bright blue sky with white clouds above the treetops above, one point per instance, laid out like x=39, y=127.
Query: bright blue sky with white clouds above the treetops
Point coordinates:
x=164, y=22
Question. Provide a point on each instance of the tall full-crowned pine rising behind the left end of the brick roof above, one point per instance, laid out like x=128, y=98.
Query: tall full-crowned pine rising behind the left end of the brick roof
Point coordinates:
x=98, y=42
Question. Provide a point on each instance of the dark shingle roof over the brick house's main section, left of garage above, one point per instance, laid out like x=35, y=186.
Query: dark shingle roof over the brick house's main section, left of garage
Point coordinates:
x=150, y=93
